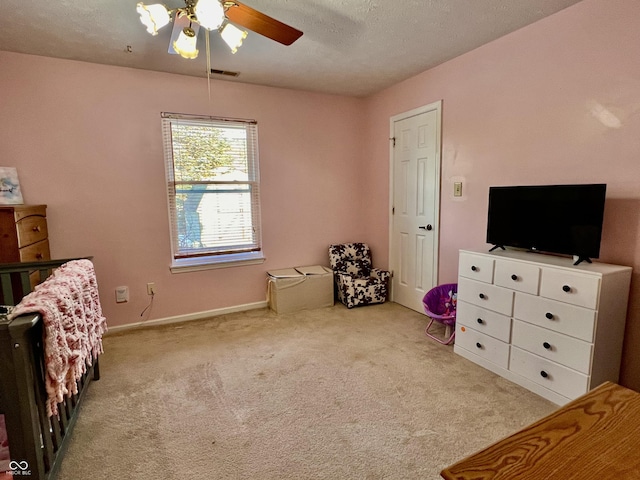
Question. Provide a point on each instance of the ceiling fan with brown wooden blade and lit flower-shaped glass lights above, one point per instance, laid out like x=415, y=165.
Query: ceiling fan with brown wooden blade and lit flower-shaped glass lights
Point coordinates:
x=212, y=15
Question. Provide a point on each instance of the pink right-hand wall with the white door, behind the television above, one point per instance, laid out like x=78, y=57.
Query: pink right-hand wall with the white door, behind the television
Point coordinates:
x=555, y=102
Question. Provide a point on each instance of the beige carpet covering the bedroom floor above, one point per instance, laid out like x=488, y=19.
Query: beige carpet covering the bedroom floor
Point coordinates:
x=322, y=394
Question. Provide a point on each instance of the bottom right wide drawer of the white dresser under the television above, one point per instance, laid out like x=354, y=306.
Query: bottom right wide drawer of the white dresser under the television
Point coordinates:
x=551, y=375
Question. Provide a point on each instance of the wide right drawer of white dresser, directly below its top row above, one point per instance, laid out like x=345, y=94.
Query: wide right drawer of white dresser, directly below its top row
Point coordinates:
x=560, y=317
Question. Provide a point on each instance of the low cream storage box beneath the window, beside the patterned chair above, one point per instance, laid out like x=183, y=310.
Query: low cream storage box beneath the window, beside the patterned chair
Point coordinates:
x=300, y=288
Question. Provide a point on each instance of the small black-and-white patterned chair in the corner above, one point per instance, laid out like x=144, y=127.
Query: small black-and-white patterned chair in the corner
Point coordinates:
x=358, y=283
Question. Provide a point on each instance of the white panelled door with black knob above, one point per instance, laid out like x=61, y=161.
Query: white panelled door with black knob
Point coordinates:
x=415, y=204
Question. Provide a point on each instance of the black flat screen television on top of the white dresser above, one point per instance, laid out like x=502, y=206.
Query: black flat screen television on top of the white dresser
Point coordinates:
x=561, y=219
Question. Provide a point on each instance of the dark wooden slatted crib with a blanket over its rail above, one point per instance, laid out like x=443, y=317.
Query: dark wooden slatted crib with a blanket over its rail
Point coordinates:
x=36, y=441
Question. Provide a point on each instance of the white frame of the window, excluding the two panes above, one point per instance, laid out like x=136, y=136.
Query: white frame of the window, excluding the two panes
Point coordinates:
x=196, y=258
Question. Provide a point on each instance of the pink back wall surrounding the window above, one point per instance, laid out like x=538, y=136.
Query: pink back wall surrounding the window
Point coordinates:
x=86, y=140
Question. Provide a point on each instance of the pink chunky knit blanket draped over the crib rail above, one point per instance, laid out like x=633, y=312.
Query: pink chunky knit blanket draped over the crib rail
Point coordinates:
x=73, y=326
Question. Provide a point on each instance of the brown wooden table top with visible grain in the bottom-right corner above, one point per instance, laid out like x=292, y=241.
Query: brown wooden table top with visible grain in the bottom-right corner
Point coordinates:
x=594, y=437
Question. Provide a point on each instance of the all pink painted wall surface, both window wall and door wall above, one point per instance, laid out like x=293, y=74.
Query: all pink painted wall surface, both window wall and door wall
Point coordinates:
x=555, y=102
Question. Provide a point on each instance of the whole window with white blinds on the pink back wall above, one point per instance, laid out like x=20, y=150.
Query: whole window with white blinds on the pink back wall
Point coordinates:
x=213, y=186
